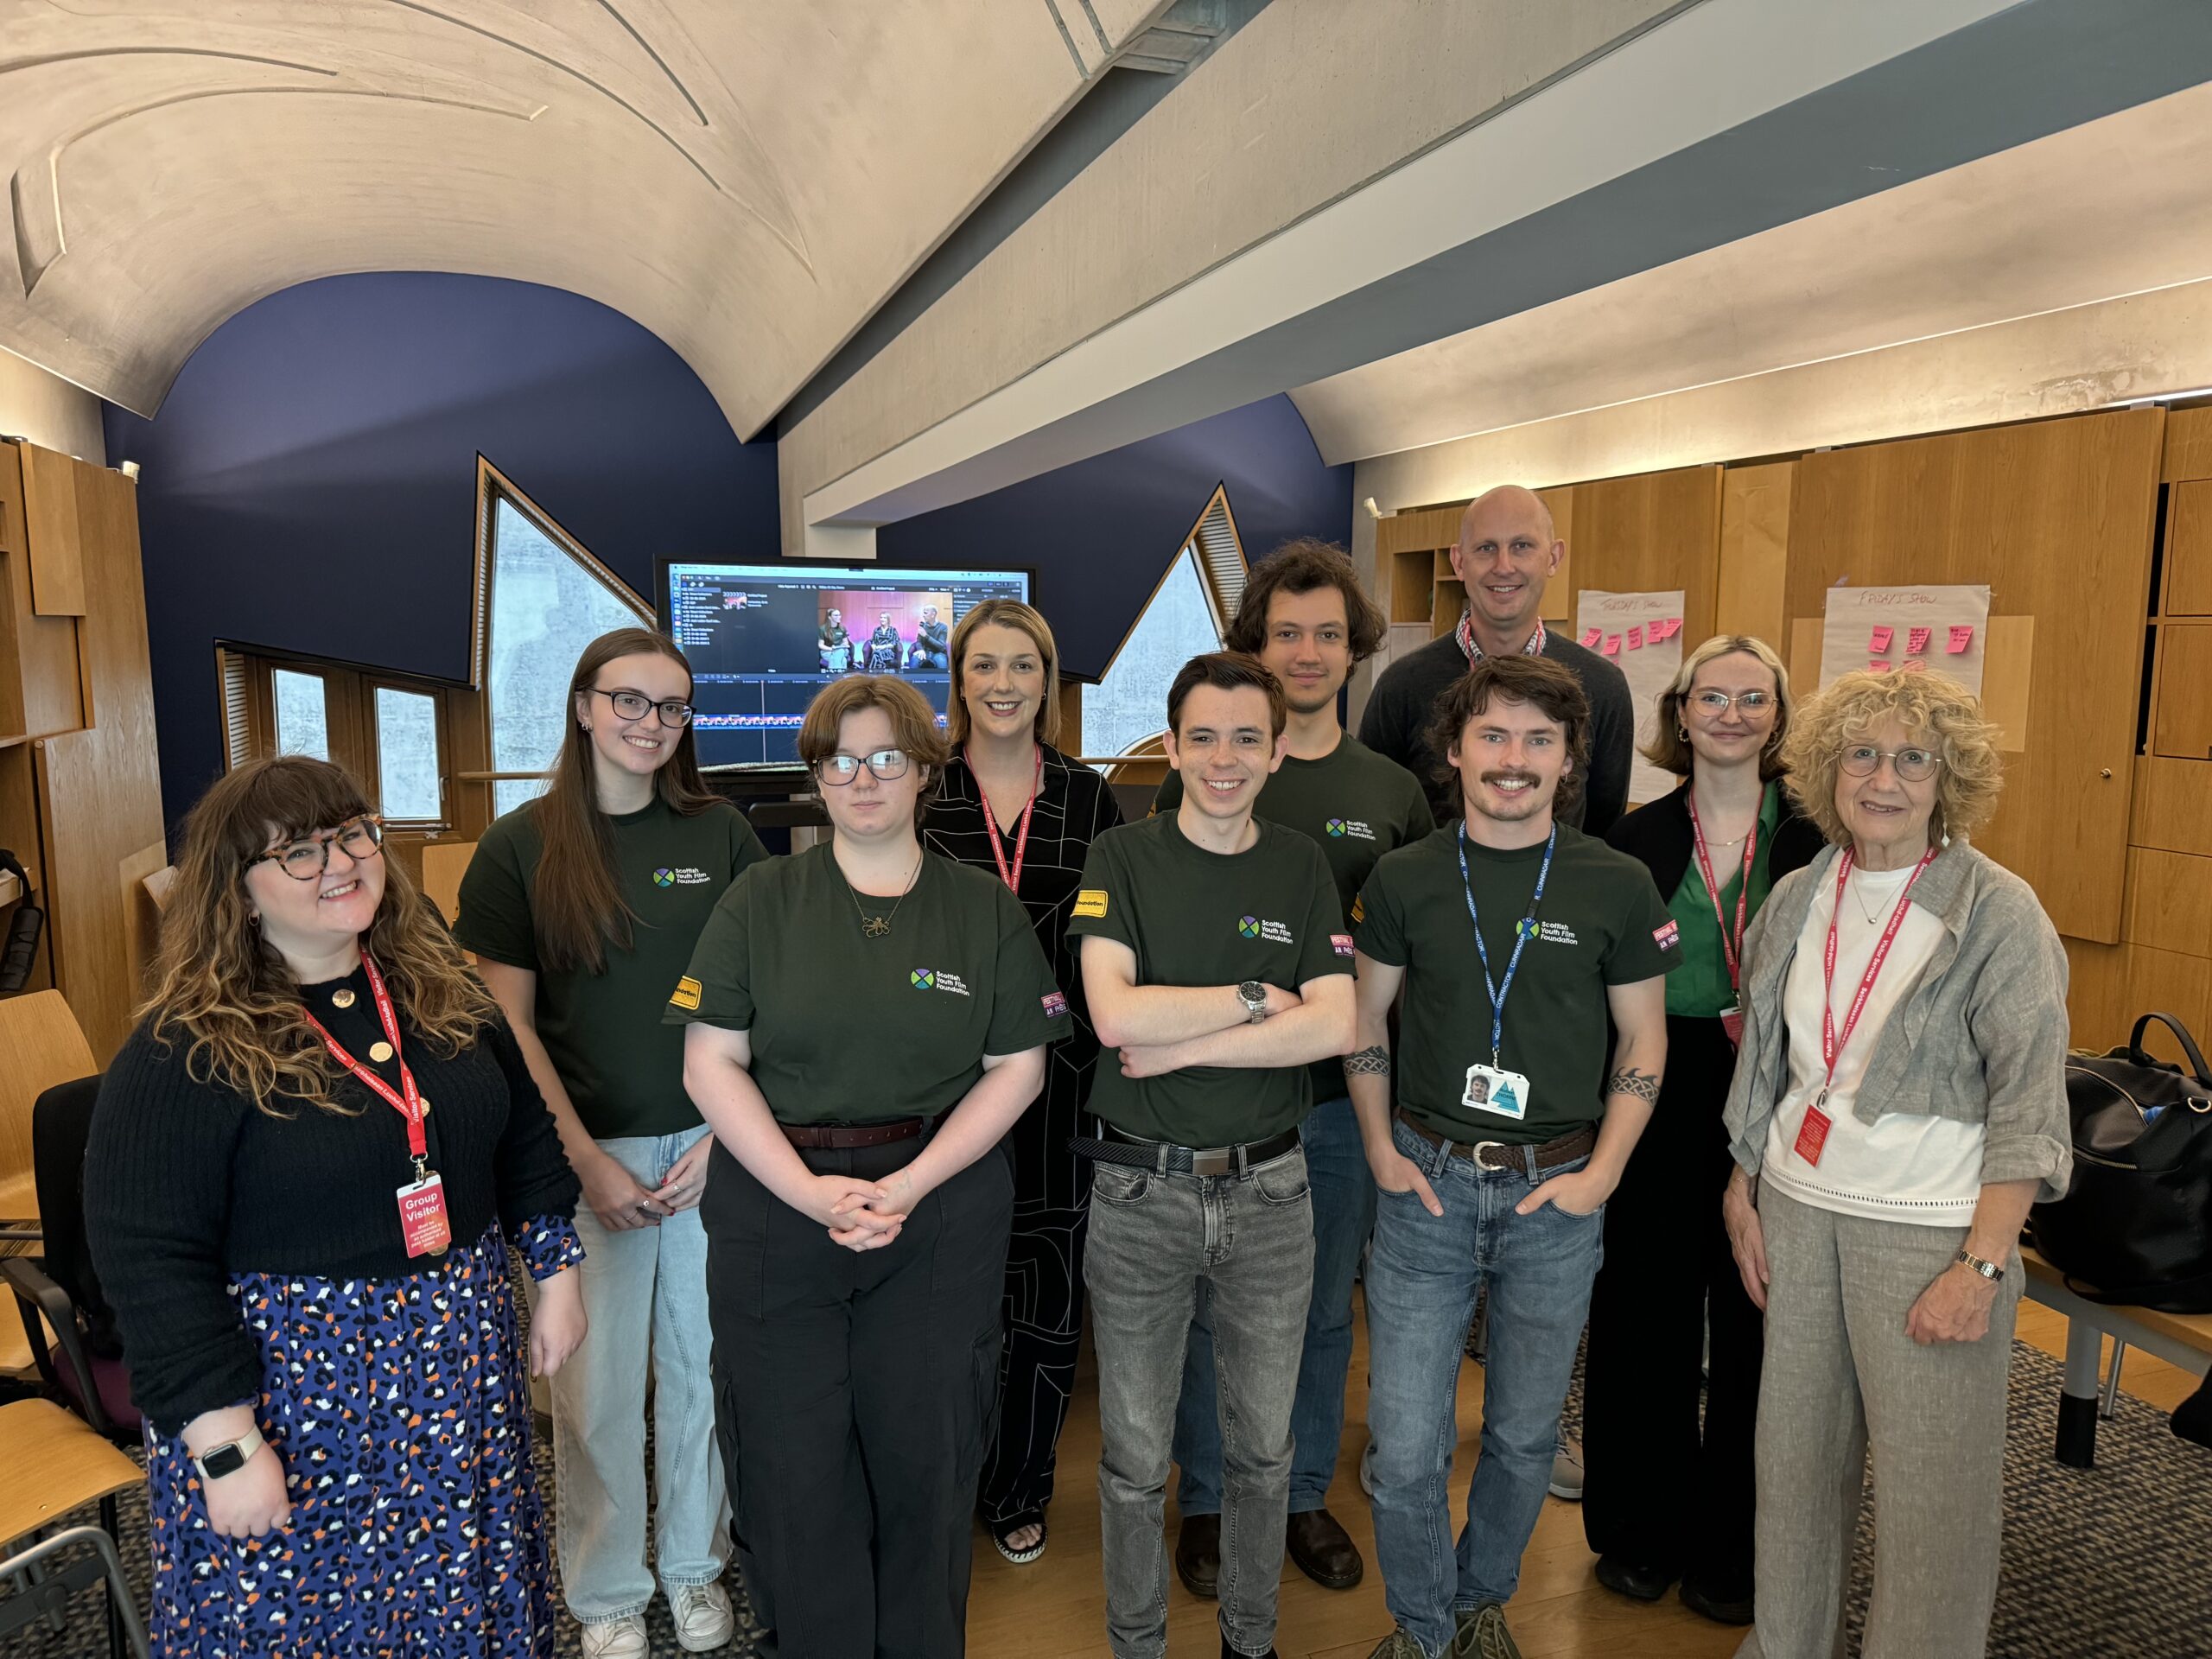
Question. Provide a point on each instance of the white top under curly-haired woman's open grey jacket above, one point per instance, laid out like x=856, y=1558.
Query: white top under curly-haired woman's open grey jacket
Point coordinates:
x=1903, y=1167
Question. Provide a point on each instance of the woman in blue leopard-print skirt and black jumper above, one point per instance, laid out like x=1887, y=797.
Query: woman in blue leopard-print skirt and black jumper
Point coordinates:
x=302, y=1178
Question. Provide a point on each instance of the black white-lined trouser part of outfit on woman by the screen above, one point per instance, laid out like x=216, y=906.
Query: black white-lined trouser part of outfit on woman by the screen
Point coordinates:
x=1045, y=1295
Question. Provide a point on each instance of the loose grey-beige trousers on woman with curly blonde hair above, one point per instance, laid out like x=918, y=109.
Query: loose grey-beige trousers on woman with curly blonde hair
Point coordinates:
x=1841, y=1375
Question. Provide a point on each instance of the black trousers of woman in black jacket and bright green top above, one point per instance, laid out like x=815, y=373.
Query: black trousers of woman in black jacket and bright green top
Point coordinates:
x=1662, y=1490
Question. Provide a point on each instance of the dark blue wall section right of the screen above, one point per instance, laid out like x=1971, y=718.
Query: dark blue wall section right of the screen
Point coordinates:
x=1103, y=530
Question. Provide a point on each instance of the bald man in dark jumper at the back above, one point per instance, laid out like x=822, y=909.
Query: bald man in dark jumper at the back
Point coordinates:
x=1505, y=556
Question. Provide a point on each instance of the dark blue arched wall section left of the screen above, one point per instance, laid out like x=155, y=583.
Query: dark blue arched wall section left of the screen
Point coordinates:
x=311, y=481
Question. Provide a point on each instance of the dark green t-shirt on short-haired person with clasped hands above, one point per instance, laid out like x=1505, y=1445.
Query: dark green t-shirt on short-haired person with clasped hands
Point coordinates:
x=853, y=1030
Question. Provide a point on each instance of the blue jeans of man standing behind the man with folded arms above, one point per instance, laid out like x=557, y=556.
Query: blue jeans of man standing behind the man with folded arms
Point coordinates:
x=1344, y=1213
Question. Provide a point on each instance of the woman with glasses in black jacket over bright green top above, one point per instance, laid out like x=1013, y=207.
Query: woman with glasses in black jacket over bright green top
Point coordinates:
x=1669, y=1488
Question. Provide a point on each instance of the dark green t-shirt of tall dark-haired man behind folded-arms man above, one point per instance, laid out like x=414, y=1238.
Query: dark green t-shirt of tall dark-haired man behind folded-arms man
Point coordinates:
x=1357, y=806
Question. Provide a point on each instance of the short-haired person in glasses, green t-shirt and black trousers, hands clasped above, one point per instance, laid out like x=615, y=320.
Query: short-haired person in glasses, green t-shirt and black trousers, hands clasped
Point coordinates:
x=866, y=1025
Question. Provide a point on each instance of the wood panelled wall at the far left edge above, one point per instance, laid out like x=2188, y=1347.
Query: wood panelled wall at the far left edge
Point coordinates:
x=81, y=791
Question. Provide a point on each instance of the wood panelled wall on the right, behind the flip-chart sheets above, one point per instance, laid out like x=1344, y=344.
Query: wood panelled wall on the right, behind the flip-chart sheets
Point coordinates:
x=2109, y=802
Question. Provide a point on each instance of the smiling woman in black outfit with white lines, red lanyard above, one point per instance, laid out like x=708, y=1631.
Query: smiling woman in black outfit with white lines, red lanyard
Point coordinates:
x=1025, y=813
